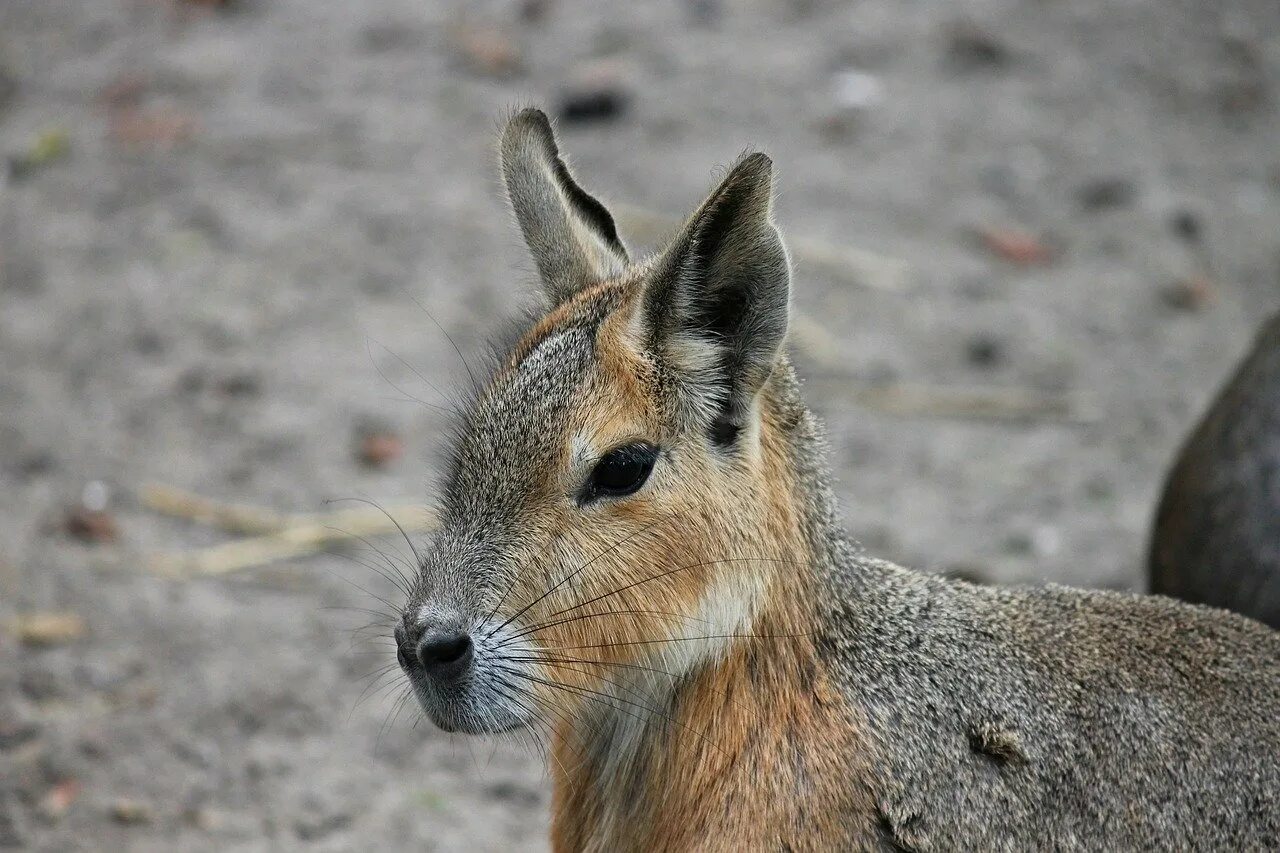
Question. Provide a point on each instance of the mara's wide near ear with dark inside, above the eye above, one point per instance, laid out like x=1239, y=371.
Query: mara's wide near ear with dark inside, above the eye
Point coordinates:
x=716, y=307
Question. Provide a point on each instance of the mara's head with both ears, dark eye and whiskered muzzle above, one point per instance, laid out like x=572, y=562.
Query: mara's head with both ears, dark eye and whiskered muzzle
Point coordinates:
x=620, y=503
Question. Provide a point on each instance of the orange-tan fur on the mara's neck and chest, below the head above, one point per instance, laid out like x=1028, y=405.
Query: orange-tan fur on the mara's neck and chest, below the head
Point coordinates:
x=725, y=758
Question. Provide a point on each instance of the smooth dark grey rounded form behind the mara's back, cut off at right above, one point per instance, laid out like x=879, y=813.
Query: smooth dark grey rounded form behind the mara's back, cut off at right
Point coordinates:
x=1217, y=537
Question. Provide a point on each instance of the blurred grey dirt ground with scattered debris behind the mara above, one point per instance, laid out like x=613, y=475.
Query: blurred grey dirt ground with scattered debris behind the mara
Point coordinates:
x=220, y=222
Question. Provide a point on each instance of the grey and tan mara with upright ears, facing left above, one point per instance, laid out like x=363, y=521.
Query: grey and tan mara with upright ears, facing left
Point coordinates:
x=641, y=564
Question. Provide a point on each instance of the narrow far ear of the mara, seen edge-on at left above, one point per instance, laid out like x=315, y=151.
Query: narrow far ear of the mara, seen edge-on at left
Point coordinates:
x=570, y=235
